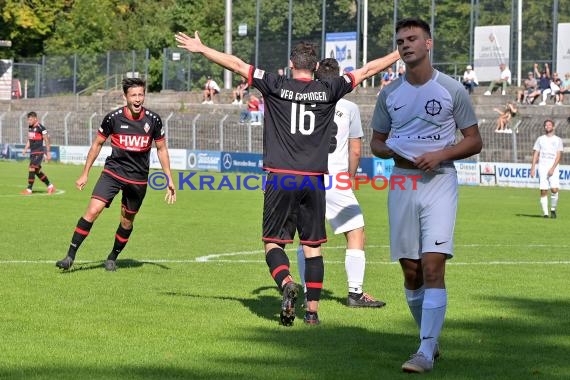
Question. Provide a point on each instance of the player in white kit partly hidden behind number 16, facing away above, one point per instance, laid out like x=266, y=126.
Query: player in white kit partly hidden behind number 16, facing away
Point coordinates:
x=342, y=209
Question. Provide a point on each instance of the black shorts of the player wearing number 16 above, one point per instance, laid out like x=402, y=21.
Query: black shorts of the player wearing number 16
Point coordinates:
x=294, y=203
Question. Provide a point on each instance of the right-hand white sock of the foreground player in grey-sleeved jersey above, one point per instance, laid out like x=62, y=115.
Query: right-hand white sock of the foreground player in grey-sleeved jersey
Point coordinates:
x=433, y=315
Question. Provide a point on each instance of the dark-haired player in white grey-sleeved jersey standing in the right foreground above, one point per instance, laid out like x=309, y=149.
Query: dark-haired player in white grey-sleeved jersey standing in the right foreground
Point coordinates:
x=414, y=122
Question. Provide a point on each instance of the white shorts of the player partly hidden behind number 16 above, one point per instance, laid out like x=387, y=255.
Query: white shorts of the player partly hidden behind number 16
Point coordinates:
x=343, y=211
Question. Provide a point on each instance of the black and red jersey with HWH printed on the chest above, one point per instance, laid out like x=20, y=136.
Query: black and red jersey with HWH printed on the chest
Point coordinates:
x=131, y=141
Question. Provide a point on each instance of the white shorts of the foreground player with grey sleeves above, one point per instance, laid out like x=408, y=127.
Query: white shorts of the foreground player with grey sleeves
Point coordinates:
x=422, y=219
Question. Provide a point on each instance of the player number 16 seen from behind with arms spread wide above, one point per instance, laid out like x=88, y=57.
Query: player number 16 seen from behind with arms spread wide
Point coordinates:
x=296, y=136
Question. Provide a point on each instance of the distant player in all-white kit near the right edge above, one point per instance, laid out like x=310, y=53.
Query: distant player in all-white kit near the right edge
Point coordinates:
x=547, y=153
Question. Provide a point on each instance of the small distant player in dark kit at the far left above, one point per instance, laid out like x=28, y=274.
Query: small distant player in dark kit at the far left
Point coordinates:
x=37, y=136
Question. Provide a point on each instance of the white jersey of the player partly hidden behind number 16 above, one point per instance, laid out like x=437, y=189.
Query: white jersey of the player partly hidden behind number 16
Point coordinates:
x=349, y=126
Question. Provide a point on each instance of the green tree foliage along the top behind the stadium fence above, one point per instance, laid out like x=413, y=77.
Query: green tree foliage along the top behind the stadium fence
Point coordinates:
x=86, y=27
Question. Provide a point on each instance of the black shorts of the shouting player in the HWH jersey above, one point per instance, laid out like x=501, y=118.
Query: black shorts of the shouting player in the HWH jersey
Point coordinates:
x=108, y=186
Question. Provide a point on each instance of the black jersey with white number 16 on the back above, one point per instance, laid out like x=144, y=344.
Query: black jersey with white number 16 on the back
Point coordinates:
x=297, y=120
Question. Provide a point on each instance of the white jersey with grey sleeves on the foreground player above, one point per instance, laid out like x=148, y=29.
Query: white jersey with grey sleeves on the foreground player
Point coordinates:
x=423, y=118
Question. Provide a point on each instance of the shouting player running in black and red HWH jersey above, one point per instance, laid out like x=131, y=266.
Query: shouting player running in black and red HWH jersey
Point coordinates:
x=132, y=128
